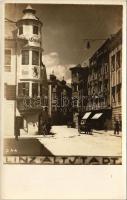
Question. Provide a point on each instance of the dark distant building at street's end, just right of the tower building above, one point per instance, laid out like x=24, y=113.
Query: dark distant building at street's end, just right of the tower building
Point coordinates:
x=59, y=96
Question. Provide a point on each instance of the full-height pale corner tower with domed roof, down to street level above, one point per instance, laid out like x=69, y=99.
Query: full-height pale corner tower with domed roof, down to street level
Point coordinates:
x=32, y=88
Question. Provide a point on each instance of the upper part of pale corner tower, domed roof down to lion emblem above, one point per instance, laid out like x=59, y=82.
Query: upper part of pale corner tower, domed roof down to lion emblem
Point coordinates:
x=29, y=29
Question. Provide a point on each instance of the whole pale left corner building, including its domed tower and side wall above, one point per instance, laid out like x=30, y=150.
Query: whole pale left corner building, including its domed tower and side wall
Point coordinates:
x=26, y=87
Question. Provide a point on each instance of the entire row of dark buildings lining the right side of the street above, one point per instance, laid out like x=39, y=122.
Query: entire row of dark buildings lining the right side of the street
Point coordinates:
x=101, y=85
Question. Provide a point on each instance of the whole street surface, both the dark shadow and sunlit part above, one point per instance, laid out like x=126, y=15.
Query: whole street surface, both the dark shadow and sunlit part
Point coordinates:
x=66, y=142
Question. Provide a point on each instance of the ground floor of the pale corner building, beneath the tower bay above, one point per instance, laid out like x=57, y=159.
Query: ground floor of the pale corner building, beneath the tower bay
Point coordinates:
x=23, y=120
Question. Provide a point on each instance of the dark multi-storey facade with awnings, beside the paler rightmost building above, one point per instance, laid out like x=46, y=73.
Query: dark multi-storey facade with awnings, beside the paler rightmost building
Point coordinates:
x=99, y=87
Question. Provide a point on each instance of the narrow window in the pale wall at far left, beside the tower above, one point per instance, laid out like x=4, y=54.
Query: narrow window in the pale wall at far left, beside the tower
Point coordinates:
x=7, y=60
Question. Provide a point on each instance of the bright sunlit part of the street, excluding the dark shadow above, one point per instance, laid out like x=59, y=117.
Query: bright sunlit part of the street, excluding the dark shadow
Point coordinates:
x=67, y=141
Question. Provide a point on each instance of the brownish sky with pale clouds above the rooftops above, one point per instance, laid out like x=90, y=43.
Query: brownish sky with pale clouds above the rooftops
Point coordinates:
x=64, y=29
